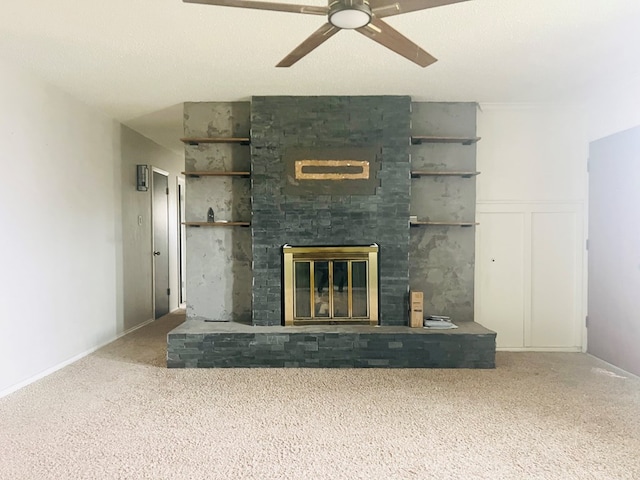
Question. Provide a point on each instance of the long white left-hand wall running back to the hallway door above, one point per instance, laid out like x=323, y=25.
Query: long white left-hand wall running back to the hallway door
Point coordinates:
x=62, y=287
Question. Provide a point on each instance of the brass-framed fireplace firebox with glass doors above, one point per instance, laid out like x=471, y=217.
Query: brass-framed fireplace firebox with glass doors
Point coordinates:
x=331, y=285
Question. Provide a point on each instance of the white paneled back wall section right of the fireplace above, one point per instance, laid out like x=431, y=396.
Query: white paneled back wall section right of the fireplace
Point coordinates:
x=531, y=205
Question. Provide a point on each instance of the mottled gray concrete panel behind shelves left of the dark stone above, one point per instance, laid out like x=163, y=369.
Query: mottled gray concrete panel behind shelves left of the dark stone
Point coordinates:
x=218, y=257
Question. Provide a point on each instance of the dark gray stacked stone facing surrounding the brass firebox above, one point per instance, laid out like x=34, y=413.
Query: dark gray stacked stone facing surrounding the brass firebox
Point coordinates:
x=280, y=123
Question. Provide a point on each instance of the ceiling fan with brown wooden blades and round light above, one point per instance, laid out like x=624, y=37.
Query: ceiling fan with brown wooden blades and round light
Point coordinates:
x=364, y=16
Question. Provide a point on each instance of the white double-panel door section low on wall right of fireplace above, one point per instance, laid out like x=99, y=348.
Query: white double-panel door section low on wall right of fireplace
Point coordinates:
x=529, y=275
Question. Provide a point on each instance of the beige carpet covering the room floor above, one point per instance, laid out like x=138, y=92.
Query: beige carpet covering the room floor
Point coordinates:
x=119, y=414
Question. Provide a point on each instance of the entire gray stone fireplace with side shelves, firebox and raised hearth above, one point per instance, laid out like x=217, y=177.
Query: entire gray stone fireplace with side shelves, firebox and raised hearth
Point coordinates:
x=312, y=255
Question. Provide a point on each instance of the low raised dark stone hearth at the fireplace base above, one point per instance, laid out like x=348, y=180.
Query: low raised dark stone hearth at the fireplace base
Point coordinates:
x=229, y=344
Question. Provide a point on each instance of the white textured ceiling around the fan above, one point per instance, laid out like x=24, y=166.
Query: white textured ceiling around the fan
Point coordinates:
x=138, y=60
